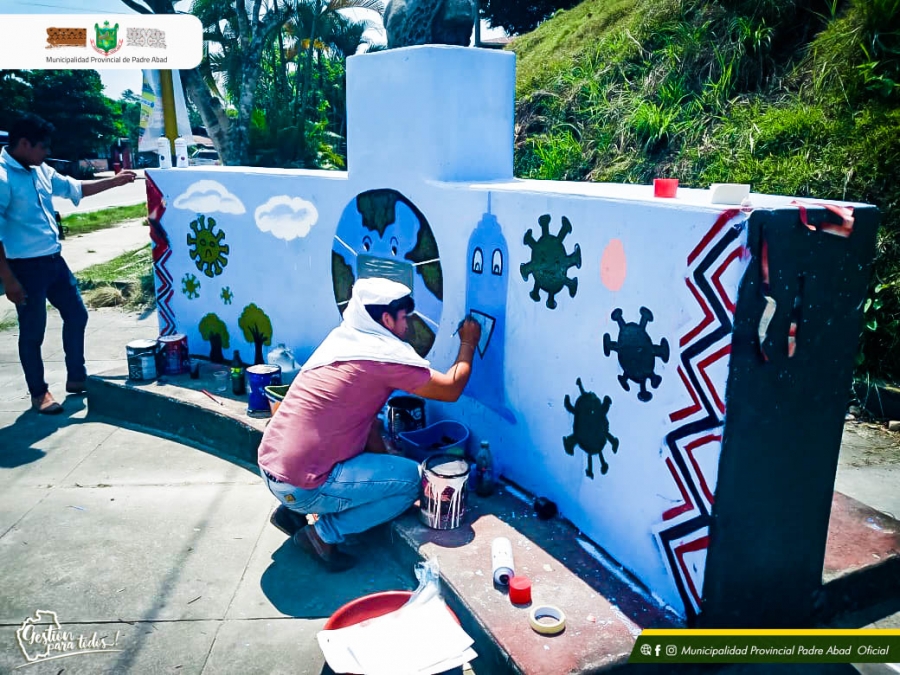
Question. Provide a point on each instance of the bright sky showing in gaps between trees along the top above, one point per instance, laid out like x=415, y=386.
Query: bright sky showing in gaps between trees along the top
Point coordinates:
x=117, y=81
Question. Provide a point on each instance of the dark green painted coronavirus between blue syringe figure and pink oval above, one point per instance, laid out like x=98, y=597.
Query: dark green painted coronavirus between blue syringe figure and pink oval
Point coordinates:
x=550, y=263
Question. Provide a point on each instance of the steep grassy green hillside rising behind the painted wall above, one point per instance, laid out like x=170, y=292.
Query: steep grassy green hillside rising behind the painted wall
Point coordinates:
x=795, y=97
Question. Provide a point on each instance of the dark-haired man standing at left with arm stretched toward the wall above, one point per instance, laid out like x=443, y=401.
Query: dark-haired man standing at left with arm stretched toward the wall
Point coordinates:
x=31, y=268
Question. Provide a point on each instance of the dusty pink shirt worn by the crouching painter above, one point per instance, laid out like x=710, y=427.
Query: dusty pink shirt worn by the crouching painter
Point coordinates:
x=327, y=415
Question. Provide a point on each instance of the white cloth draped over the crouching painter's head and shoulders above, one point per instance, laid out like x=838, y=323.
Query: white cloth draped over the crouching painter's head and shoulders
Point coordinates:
x=360, y=337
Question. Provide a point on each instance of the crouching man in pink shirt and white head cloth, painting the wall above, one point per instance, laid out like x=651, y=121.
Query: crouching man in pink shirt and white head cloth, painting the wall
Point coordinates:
x=323, y=452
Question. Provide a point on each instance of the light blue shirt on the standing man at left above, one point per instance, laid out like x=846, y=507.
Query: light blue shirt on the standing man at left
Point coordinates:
x=27, y=224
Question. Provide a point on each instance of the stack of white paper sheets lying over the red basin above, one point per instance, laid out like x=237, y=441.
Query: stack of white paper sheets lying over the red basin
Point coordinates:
x=417, y=639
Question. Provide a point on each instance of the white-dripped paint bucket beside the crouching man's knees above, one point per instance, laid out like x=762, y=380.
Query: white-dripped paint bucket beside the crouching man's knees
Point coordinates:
x=443, y=504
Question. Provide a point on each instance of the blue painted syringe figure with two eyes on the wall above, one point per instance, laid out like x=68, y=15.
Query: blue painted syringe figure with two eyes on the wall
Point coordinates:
x=486, y=290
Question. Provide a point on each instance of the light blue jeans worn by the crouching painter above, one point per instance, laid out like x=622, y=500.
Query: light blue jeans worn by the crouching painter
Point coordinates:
x=359, y=494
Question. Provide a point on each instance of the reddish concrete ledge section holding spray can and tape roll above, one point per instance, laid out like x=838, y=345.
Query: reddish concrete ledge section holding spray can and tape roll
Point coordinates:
x=605, y=609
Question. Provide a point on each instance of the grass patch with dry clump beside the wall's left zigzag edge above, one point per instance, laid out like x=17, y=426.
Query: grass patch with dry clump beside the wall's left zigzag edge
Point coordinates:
x=125, y=281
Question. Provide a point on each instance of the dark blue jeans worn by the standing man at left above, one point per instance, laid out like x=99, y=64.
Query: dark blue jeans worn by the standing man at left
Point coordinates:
x=48, y=279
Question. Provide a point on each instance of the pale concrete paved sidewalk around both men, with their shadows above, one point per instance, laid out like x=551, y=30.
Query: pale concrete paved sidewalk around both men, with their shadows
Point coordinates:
x=168, y=547
